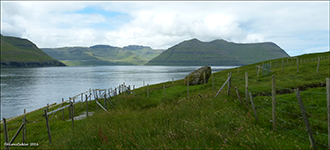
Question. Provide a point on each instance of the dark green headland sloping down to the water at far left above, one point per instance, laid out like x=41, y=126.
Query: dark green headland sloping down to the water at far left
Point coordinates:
x=18, y=52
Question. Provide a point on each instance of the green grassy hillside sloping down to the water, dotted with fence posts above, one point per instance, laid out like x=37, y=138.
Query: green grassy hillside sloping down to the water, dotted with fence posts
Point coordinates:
x=176, y=121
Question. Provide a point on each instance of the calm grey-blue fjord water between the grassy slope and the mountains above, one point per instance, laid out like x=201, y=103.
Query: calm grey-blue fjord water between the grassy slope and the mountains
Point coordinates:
x=32, y=88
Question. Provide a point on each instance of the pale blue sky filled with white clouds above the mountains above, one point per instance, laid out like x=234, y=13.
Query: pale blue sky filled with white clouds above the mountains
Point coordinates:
x=298, y=27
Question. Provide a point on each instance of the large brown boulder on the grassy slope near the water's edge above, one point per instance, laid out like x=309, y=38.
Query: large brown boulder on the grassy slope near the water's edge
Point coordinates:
x=197, y=76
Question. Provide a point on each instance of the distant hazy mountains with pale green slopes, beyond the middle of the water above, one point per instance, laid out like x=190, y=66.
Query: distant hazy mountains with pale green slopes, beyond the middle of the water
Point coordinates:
x=103, y=55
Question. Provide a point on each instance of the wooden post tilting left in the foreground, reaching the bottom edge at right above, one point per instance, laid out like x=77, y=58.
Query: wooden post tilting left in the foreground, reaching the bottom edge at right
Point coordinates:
x=304, y=115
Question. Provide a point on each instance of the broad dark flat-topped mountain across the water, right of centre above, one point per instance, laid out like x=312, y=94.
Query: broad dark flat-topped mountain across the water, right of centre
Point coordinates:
x=217, y=53
